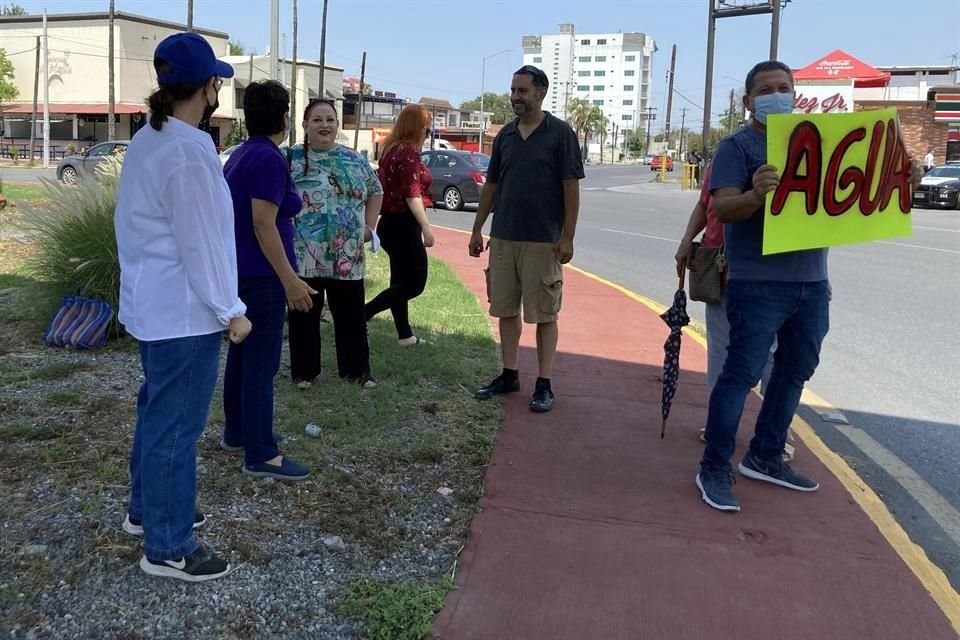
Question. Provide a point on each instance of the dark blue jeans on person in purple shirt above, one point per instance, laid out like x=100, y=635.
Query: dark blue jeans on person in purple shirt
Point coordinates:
x=251, y=367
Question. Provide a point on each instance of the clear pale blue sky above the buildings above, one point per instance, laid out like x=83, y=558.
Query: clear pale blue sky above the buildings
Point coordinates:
x=435, y=47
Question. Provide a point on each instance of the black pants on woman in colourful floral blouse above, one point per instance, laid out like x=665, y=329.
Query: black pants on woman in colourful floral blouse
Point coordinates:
x=349, y=328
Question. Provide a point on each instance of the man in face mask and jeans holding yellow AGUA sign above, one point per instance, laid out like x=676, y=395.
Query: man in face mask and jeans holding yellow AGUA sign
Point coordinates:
x=777, y=287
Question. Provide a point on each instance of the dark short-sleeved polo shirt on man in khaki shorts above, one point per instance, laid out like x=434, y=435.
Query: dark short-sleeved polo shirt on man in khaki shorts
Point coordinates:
x=529, y=174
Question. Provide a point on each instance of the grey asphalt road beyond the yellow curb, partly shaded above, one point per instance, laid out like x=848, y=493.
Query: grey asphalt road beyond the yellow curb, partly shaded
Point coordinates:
x=890, y=363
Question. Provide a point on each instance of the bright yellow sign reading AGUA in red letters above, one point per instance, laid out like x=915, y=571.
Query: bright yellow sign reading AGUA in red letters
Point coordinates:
x=844, y=178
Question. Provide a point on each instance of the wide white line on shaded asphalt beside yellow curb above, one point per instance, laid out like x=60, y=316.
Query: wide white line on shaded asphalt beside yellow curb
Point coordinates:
x=919, y=489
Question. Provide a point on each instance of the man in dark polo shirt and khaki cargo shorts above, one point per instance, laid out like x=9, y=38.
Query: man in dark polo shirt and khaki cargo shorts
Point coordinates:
x=534, y=178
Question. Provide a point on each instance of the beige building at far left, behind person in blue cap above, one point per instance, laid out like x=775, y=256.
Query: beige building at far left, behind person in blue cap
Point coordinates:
x=78, y=77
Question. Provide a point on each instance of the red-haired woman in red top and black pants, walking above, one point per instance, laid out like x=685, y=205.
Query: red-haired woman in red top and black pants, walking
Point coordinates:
x=403, y=227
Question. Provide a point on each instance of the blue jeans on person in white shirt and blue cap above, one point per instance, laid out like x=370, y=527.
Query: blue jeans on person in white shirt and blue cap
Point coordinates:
x=172, y=409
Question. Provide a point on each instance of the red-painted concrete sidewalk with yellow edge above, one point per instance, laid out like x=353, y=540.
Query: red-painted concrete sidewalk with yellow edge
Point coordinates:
x=591, y=526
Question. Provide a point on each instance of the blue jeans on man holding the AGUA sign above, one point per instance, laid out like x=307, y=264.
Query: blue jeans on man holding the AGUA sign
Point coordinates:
x=797, y=316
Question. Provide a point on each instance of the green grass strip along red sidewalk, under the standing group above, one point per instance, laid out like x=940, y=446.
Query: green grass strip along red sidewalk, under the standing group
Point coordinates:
x=419, y=415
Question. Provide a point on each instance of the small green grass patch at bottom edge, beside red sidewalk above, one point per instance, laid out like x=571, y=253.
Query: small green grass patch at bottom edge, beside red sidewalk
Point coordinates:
x=402, y=611
